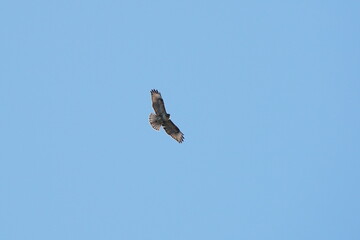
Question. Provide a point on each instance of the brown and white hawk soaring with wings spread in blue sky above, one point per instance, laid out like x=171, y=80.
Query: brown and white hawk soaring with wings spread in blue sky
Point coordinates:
x=162, y=118
